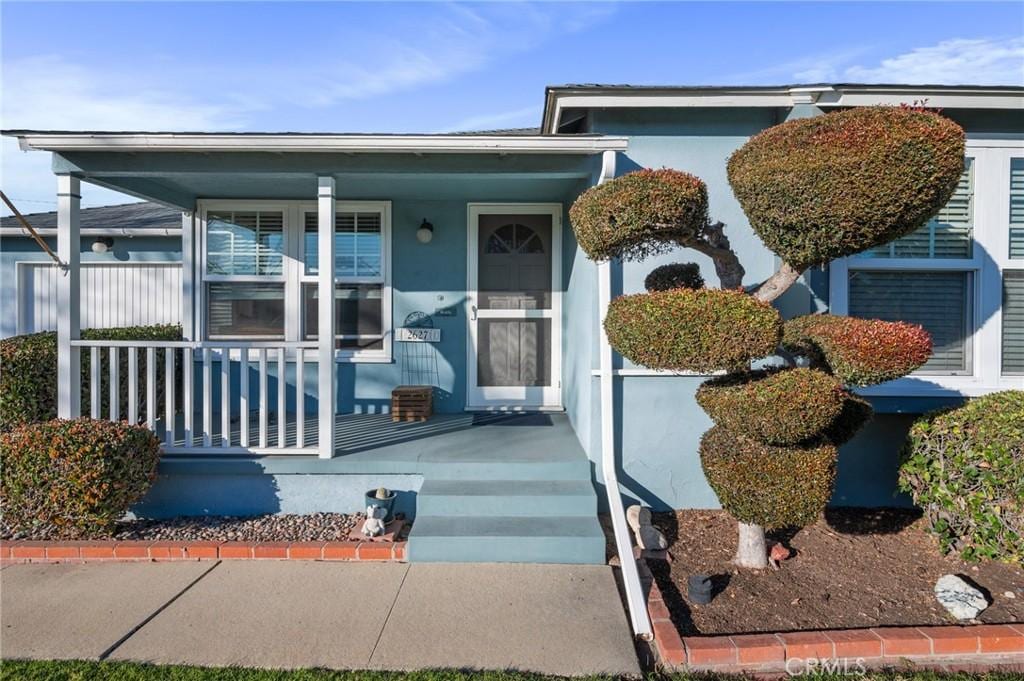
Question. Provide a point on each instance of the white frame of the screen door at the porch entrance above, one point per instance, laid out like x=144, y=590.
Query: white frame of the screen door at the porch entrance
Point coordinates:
x=539, y=399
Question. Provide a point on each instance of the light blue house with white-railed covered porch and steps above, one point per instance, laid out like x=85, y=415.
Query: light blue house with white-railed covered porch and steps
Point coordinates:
x=381, y=237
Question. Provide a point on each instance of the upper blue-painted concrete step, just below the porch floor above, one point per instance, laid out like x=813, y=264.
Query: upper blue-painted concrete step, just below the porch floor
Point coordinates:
x=506, y=498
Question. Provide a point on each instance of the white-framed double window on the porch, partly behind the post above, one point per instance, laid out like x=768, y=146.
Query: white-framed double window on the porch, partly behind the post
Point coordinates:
x=261, y=268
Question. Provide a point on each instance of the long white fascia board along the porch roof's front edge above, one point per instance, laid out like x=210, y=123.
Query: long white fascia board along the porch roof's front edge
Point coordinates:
x=61, y=142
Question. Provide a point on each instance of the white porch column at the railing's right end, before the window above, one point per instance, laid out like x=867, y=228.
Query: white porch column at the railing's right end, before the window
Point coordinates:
x=325, y=287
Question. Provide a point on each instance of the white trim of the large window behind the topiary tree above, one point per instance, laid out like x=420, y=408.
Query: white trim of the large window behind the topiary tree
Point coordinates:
x=991, y=259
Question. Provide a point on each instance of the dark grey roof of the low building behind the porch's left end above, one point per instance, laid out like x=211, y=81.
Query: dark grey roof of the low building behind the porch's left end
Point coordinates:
x=139, y=220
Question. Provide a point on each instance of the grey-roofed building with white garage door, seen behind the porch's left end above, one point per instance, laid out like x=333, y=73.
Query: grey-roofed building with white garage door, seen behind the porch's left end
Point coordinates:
x=132, y=270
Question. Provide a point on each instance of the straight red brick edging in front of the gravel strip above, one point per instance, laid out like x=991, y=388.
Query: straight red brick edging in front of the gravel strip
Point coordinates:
x=113, y=550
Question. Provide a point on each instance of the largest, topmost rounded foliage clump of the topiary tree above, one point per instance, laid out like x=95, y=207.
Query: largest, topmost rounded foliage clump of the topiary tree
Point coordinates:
x=824, y=188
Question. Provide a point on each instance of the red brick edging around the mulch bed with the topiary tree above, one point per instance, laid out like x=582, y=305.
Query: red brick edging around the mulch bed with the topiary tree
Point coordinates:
x=880, y=647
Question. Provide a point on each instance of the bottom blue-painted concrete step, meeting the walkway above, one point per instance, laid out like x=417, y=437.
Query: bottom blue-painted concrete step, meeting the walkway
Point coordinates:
x=507, y=539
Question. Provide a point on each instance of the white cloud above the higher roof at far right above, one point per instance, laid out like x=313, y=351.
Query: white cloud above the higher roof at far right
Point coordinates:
x=957, y=62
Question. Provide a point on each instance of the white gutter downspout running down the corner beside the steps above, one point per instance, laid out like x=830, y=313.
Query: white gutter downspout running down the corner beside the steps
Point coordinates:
x=624, y=547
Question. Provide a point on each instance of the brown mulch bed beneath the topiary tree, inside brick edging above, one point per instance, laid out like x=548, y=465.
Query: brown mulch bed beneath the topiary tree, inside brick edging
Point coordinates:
x=855, y=569
